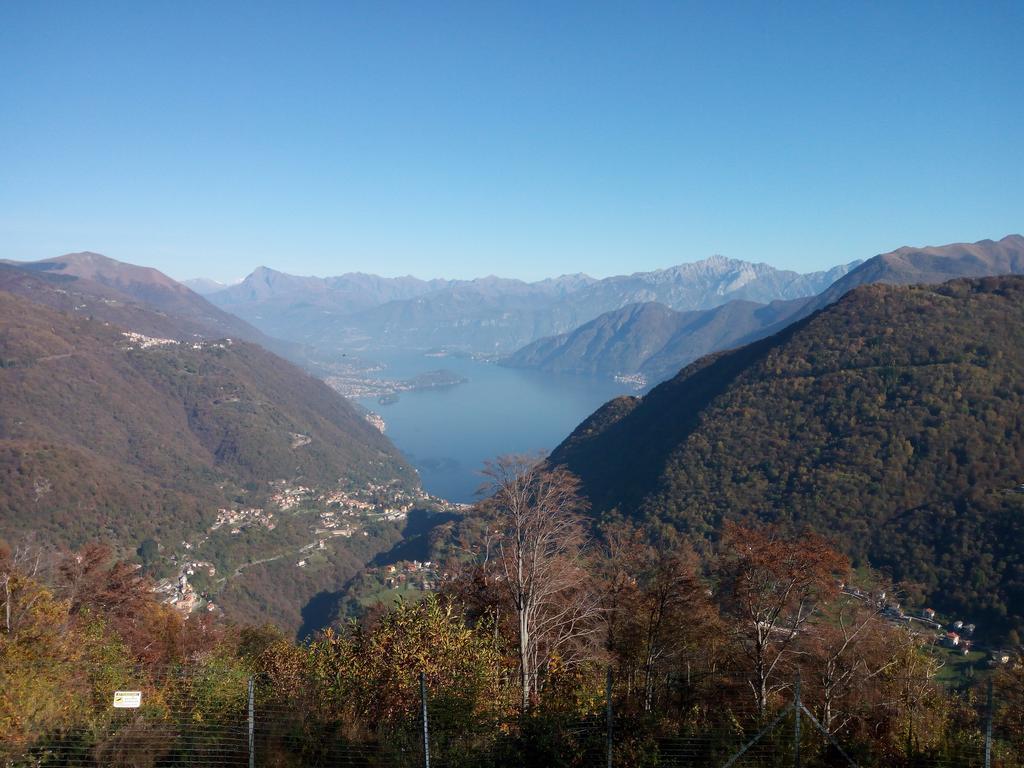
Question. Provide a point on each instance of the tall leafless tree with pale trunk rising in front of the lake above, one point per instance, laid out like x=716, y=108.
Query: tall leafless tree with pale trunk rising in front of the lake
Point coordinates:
x=537, y=553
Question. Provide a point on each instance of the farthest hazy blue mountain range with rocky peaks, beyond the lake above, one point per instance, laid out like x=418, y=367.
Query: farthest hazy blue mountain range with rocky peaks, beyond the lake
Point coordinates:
x=359, y=313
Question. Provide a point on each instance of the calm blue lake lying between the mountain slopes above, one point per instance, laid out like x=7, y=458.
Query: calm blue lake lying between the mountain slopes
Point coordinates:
x=448, y=434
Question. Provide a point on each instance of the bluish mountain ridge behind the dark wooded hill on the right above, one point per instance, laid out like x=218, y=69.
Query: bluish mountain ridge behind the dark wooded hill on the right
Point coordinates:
x=655, y=340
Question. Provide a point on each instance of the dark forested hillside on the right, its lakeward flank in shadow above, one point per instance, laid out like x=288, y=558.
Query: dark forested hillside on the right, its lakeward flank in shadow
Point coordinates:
x=892, y=421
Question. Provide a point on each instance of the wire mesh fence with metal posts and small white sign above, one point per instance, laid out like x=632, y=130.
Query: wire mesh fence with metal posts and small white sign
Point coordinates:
x=223, y=715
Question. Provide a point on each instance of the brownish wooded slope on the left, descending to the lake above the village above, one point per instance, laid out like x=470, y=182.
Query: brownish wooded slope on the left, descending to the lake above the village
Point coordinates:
x=111, y=437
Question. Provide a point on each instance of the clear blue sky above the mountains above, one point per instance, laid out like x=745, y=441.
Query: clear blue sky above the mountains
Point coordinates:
x=523, y=139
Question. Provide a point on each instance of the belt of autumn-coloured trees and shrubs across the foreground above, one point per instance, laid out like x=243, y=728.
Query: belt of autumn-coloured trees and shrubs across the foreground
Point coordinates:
x=761, y=607
